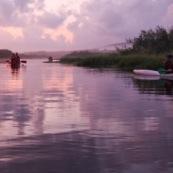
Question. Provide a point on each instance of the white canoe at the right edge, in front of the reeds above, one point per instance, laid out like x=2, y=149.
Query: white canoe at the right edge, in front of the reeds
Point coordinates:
x=145, y=72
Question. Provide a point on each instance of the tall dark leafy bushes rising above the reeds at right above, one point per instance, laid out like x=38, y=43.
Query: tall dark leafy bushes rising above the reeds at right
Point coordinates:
x=158, y=40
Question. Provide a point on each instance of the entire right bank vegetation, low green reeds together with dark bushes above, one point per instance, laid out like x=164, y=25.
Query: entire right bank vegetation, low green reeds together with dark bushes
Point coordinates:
x=147, y=52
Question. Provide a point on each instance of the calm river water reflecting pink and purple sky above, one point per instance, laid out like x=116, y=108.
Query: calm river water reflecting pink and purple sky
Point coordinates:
x=63, y=119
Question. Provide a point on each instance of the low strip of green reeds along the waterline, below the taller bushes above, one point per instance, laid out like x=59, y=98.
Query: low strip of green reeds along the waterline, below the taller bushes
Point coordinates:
x=112, y=60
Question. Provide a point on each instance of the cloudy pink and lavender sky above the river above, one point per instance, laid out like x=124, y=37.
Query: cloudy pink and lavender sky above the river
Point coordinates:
x=53, y=25
